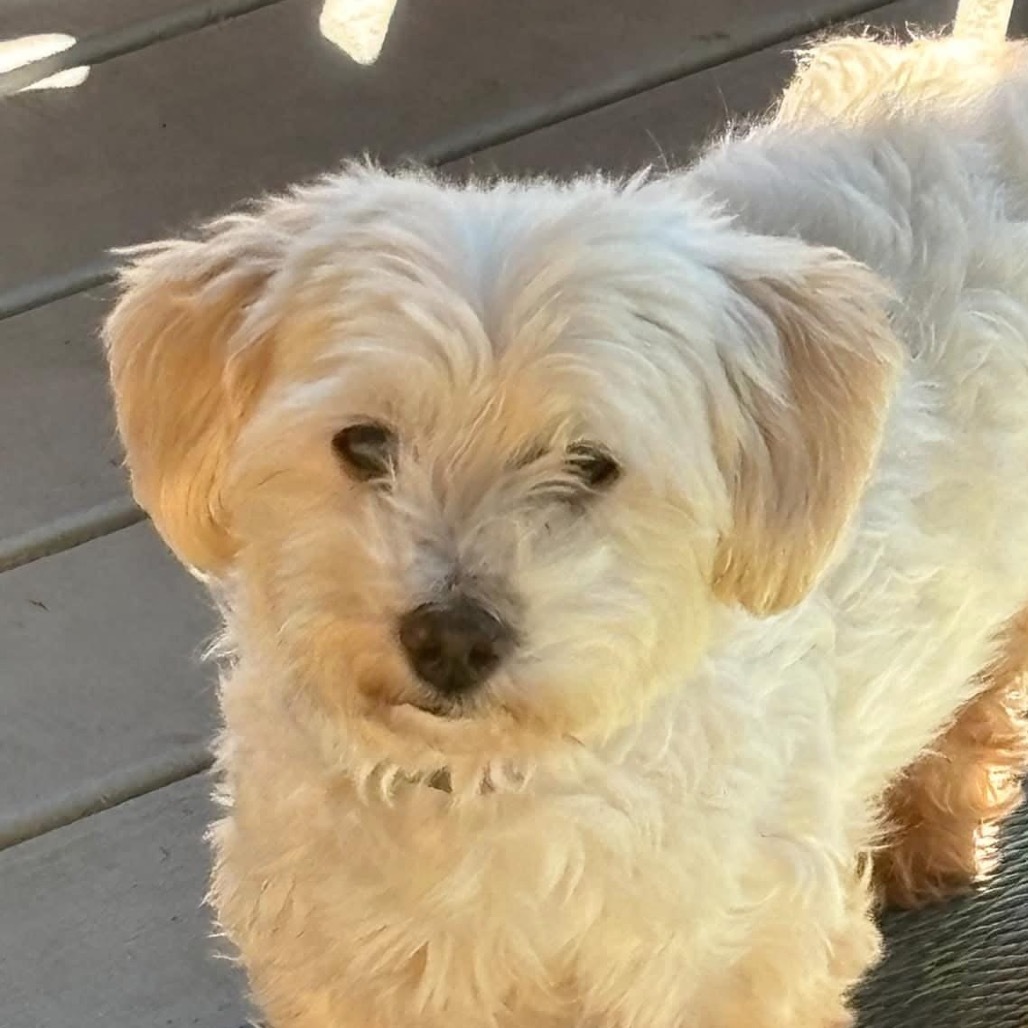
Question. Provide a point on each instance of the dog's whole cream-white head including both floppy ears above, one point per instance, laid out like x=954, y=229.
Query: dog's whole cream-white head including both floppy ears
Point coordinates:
x=479, y=468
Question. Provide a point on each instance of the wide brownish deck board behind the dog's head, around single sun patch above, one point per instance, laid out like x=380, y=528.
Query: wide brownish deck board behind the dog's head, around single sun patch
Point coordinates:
x=175, y=132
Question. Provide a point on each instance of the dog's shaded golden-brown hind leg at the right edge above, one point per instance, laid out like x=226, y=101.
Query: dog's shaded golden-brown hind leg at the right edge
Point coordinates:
x=942, y=815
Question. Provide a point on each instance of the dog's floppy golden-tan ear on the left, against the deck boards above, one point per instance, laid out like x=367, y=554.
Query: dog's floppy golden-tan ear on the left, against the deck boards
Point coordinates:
x=188, y=361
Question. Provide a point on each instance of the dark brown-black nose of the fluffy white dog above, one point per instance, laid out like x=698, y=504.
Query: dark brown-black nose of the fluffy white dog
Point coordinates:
x=455, y=646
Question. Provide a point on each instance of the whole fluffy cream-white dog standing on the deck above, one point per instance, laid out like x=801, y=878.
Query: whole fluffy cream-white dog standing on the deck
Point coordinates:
x=602, y=563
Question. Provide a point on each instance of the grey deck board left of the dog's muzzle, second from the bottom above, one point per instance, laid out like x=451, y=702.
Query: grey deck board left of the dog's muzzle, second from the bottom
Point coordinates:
x=103, y=693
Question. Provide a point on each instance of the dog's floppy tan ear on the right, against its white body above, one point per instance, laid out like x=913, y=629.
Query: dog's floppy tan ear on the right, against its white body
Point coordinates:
x=812, y=361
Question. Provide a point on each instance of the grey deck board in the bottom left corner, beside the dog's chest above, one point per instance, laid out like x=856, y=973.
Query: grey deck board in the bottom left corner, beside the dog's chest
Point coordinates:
x=103, y=924
